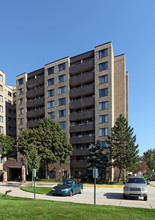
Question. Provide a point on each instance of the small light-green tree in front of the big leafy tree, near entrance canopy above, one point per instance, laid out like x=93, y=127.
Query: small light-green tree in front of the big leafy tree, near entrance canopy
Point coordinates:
x=33, y=159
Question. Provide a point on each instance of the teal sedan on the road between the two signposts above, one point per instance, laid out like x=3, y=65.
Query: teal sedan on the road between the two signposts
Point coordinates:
x=68, y=187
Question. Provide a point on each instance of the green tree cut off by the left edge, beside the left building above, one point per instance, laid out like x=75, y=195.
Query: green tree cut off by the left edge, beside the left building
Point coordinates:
x=6, y=143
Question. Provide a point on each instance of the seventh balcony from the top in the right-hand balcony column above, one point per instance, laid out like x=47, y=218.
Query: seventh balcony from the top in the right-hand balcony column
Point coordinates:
x=82, y=140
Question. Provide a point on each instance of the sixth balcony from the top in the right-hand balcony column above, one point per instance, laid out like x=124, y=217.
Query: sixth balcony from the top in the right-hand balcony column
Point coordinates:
x=80, y=128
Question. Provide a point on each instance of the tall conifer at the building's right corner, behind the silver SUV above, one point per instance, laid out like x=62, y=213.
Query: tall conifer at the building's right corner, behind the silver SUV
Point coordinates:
x=122, y=146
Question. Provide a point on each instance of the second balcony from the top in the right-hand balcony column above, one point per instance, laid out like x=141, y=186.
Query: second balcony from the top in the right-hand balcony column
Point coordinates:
x=83, y=78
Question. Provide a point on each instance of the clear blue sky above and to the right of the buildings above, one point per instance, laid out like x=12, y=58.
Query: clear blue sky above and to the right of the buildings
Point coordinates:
x=36, y=32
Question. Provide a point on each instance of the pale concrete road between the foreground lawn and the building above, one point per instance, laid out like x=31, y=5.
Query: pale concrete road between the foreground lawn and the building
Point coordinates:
x=104, y=196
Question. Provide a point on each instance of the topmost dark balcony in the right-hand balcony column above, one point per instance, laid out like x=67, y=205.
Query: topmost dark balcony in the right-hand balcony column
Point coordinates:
x=82, y=67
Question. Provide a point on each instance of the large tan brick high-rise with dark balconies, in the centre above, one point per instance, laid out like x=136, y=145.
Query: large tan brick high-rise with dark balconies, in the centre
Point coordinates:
x=84, y=93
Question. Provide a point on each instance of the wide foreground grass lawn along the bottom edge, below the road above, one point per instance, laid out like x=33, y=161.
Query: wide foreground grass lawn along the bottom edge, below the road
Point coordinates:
x=20, y=208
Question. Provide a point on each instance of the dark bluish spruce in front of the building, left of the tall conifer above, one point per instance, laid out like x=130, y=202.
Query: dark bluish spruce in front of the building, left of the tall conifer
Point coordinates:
x=97, y=159
